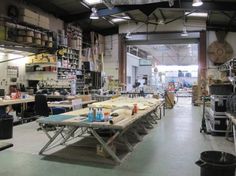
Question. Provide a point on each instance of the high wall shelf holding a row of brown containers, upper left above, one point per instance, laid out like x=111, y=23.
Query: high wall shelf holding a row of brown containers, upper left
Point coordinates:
x=24, y=36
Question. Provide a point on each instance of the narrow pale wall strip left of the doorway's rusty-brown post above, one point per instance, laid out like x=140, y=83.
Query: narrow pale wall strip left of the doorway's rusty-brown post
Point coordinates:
x=111, y=58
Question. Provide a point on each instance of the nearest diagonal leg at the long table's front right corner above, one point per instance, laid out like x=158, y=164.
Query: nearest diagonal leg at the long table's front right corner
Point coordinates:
x=106, y=146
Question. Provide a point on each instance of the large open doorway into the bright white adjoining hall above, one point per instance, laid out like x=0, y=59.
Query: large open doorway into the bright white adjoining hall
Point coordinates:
x=172, y=67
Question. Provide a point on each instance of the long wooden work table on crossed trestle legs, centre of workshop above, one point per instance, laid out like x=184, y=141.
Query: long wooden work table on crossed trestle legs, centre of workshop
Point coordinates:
x=76, y=121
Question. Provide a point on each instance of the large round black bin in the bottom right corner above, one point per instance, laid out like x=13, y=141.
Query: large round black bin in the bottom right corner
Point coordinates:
x=217, y=163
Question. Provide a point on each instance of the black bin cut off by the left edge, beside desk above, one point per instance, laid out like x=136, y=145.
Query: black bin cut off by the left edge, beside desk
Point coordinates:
x=6, y=126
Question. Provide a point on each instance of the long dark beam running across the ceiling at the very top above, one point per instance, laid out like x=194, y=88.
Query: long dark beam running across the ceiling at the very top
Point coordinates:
x=184, y=5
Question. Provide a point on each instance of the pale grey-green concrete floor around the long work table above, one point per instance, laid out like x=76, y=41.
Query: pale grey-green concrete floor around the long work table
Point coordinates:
x=170, y=149
